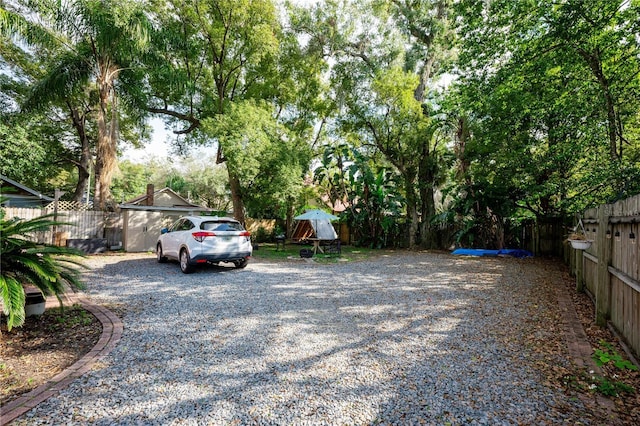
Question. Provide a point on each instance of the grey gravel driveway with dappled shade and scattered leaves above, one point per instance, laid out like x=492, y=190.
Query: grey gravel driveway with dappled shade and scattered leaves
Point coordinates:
x=406, y=338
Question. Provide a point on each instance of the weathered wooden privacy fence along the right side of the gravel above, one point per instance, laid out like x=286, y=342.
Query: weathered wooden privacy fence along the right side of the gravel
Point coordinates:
x=608, y=269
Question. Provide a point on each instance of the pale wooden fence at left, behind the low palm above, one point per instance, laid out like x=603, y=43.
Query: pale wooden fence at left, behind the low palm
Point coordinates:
x=81, y=225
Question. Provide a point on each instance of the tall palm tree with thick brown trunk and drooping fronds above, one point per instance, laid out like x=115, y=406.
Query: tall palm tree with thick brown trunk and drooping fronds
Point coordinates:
x=90, y=45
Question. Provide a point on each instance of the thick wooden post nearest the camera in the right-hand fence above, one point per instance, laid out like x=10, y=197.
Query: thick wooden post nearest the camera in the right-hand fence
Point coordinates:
x=603, y=286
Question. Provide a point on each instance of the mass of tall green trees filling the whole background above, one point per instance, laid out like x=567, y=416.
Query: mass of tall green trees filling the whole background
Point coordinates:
x=410, y=114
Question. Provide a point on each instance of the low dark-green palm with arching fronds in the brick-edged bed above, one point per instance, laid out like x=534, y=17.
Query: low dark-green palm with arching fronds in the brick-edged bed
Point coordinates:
x=26, y=262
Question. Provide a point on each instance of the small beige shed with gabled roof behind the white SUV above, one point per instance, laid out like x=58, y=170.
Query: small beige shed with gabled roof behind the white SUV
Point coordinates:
x=144, y=217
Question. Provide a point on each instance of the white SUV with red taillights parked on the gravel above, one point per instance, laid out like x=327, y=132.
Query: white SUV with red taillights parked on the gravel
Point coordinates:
x=194, y=240
